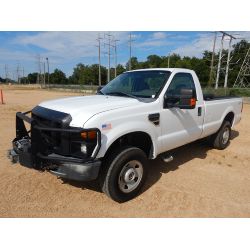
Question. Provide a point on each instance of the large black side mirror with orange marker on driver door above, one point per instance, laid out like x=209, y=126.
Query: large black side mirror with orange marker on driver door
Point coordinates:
x=185, y=99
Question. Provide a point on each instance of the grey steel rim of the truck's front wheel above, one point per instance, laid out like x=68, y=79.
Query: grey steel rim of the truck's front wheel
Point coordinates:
x=130, y=176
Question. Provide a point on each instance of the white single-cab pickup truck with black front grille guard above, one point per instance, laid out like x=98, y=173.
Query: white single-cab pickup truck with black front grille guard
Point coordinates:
x=111, y=135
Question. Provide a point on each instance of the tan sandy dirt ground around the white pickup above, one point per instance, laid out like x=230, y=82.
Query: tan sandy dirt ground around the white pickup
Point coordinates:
x=200, y=182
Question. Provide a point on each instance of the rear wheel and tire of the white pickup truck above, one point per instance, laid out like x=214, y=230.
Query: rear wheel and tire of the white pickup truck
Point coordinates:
x=221, y=139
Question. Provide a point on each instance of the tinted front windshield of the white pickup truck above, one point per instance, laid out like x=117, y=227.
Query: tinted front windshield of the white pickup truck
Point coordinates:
x=145, y=84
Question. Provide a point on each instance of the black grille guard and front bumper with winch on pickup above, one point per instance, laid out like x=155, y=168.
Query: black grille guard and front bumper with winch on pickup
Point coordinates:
x=29, y=151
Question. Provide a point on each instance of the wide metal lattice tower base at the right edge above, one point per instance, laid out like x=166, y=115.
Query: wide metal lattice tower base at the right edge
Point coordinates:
x=243, y=78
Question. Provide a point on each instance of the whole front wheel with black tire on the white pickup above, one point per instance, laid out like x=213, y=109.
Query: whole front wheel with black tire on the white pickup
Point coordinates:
x=124, y=173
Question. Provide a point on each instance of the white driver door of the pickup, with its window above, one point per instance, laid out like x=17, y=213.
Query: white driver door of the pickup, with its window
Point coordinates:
x=180, y=126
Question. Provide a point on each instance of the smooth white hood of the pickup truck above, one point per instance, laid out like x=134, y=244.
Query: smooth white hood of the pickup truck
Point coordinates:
x=82, y=108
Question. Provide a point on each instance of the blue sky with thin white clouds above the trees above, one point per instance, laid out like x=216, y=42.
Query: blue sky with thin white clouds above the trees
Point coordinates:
x=19, y=51
